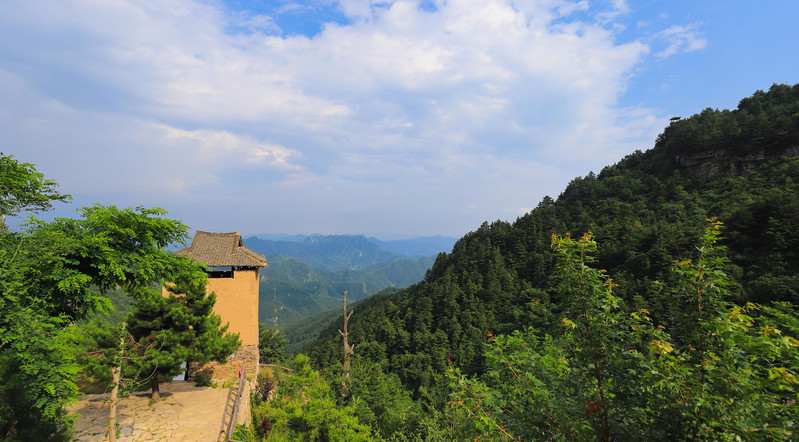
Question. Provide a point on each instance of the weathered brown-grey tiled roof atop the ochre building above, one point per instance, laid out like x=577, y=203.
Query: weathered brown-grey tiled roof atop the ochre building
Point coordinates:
x=222, y=250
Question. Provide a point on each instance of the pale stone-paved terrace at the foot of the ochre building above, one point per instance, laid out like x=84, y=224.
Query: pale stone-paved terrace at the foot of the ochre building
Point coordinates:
x=185, y=413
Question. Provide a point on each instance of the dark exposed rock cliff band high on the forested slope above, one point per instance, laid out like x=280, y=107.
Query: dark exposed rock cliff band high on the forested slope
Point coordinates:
x=710, y=164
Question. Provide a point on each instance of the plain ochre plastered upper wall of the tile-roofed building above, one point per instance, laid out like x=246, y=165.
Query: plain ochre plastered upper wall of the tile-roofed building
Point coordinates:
x=237, y=303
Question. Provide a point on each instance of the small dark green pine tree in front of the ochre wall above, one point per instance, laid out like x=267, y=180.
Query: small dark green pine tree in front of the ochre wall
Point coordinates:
x=177, y=328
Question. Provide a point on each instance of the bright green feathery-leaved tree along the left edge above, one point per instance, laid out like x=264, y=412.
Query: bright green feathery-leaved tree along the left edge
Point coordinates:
x=54, y=273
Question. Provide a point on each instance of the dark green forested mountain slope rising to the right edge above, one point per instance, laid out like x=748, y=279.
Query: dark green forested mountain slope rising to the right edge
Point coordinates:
x=645, y=212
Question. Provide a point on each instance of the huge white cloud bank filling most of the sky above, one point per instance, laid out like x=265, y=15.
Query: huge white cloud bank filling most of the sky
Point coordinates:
x=402, y=106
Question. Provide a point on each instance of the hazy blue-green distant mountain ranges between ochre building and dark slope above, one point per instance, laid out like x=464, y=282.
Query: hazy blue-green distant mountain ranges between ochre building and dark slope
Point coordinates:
x=307, y=274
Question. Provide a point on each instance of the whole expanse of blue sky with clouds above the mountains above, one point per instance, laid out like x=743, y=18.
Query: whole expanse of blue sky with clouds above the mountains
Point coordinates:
x=359, y=116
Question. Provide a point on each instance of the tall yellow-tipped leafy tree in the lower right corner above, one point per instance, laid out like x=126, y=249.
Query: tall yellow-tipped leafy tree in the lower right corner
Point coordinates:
x=724, y=371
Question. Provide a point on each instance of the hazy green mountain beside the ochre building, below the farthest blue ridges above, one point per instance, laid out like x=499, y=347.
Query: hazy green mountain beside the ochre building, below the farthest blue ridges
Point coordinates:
x=291, y=290
